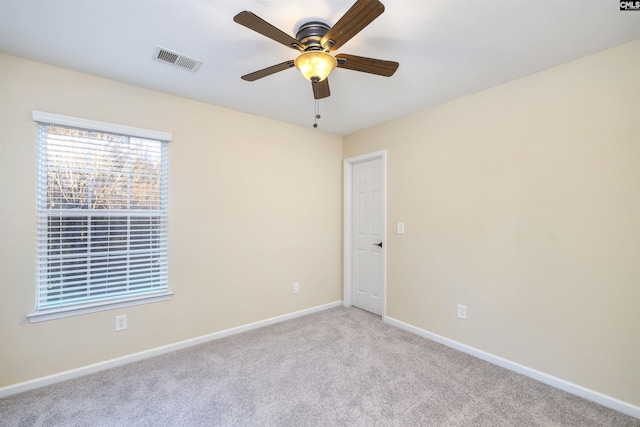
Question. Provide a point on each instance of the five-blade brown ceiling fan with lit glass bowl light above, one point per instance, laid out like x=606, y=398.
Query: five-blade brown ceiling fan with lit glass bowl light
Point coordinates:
x=315, y=40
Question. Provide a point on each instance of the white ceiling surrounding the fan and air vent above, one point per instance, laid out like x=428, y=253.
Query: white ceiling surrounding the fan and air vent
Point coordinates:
x=446, y=49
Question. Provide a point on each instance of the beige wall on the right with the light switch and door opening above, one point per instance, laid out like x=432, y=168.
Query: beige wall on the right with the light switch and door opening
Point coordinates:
x=523, y=203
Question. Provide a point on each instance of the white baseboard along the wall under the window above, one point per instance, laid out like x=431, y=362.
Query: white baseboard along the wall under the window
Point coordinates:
x=112, y=363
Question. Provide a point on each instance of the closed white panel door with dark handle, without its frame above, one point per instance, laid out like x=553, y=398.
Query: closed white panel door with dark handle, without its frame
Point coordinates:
x=367, y=280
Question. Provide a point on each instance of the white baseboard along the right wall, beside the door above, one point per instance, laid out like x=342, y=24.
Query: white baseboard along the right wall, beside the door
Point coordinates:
x=594, y=396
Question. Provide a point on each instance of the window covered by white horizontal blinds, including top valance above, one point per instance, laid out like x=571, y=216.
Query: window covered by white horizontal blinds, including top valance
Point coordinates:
x=101, y=216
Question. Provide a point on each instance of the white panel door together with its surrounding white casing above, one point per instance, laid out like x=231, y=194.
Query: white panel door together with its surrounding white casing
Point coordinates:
x=365, y=232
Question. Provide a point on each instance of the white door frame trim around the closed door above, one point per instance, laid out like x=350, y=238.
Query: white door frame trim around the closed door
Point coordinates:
x=348, y=225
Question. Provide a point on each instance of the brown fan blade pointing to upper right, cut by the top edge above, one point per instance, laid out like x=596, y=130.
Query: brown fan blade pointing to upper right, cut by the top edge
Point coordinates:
x=361, y=14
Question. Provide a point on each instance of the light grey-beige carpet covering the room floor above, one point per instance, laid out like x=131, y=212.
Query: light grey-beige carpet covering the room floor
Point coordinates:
x=340, y=367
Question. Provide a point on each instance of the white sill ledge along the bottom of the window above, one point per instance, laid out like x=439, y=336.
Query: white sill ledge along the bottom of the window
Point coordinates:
x=58, y=313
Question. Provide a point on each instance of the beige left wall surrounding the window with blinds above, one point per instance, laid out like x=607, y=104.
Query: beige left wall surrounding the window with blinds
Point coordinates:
x=254, y=206
